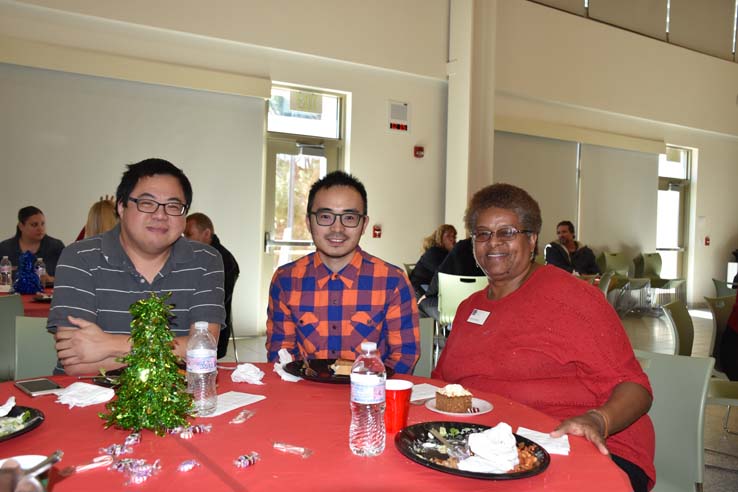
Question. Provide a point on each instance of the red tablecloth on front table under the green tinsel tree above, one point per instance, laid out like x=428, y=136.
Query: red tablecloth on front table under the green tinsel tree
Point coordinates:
x=306, y=413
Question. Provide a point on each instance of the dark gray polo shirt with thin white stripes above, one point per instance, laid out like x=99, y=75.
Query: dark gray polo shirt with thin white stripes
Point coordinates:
x=96, y=281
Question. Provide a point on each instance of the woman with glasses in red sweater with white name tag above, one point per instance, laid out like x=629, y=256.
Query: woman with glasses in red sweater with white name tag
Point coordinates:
x=542, y=337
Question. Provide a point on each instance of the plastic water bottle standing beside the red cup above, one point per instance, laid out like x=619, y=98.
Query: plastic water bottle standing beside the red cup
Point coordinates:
x=367, y=432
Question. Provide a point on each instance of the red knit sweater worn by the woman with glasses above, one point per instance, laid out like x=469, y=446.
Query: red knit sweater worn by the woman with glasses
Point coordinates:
x=554, y=344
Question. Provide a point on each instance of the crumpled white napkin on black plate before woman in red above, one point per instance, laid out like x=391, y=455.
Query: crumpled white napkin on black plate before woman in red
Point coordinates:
x=495, y=451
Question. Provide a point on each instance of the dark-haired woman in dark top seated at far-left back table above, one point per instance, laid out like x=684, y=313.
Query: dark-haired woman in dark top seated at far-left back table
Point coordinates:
x=30, y=235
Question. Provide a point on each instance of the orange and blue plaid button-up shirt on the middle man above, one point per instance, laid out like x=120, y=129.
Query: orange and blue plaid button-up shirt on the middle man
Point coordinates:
x=319, y=314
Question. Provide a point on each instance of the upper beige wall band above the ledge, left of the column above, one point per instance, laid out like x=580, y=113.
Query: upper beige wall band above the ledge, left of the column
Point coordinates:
x=408, y=36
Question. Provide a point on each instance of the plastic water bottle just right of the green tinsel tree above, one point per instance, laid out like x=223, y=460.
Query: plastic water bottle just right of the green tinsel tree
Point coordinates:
x=201, y=370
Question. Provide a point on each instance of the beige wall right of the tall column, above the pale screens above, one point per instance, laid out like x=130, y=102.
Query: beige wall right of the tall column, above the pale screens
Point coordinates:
x=561, y=69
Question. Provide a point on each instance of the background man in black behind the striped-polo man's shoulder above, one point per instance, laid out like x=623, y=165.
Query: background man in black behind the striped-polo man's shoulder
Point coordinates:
x=200, y=228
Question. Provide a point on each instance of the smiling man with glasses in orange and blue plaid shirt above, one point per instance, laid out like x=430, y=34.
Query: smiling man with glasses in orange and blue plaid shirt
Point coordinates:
x=323, y=305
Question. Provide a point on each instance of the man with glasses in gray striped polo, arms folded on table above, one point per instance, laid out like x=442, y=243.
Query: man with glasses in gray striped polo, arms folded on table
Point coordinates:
x=99, y=278
